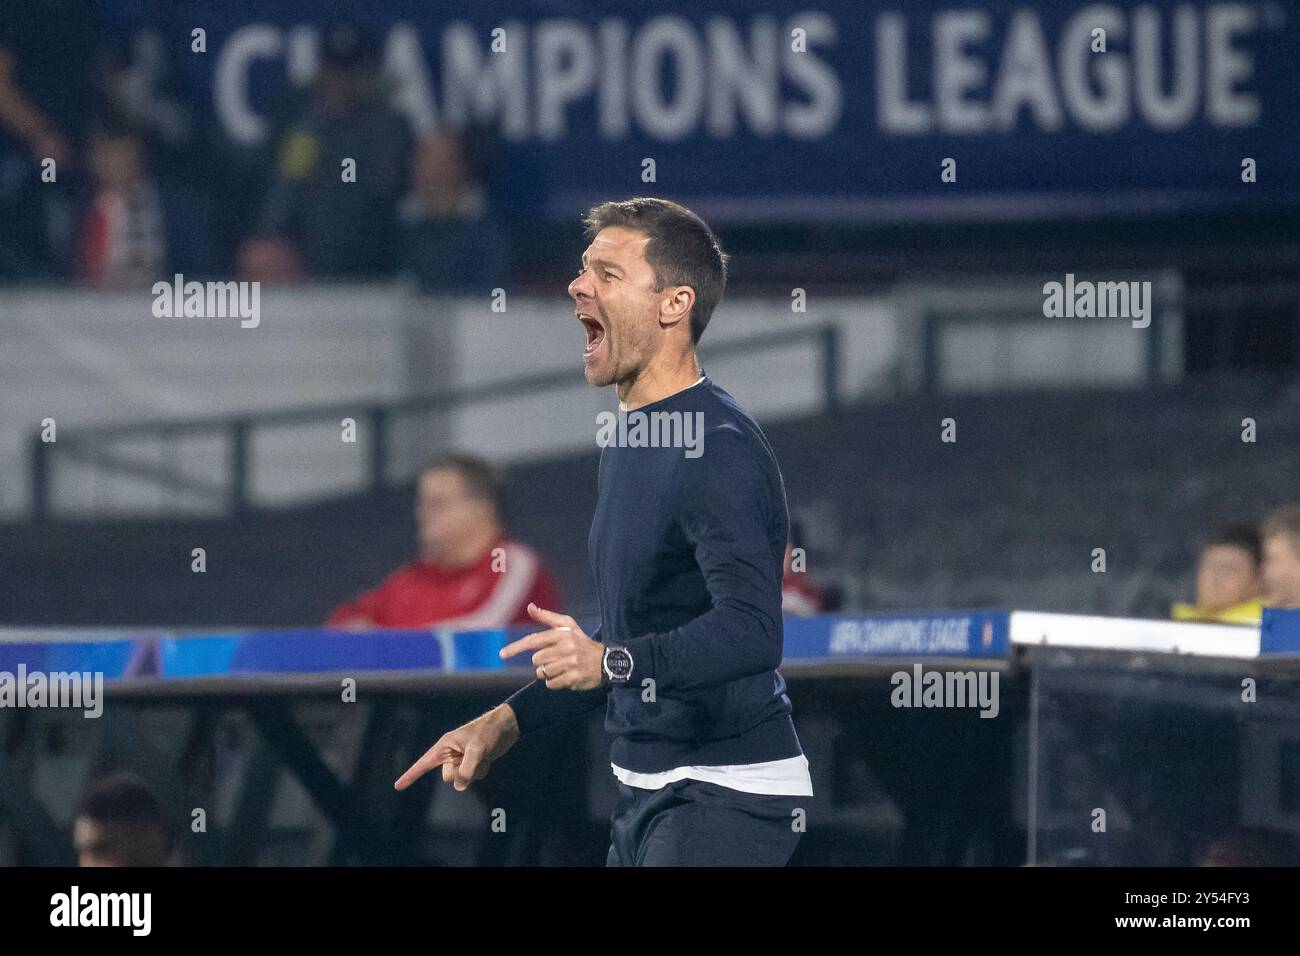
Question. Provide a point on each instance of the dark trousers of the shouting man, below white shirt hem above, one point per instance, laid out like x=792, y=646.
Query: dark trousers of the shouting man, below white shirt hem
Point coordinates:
x=697, y=824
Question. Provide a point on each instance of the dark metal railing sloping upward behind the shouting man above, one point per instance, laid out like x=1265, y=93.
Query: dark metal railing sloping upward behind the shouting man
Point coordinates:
x=237, y=430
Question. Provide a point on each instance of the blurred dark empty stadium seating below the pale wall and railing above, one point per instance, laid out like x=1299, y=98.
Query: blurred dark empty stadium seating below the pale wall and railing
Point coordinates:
x=1006, y=517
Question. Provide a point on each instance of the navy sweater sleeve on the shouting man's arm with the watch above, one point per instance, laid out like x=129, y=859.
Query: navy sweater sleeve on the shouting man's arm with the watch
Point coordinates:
x=730, y=508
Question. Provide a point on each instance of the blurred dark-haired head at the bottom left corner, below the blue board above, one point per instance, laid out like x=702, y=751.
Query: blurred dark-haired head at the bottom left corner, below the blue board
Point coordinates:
x=122, y=824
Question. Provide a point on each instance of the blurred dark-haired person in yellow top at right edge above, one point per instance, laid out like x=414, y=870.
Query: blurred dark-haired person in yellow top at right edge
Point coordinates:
x=1229, y=583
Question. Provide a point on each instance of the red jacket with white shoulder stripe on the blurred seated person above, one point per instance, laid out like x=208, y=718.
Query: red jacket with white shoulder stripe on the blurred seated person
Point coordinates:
x=492, y=592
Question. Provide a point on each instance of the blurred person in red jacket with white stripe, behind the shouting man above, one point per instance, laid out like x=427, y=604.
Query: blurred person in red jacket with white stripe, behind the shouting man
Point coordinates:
x=470, y=576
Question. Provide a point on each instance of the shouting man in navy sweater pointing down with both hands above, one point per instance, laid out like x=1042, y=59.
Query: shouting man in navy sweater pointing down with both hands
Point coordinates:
x=687, y=547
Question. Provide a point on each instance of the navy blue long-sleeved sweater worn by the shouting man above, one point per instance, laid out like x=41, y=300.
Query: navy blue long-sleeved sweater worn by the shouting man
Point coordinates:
x=687, y=547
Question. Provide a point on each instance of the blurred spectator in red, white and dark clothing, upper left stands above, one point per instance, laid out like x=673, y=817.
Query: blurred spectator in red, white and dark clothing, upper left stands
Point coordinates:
x=123, y=237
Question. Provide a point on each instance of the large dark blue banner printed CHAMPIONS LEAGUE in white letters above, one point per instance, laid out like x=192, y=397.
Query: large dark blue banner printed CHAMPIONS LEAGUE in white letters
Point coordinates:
x=848, y=110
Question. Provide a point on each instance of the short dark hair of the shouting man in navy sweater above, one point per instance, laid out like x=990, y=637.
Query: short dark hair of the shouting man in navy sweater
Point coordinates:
x=683, y=250
